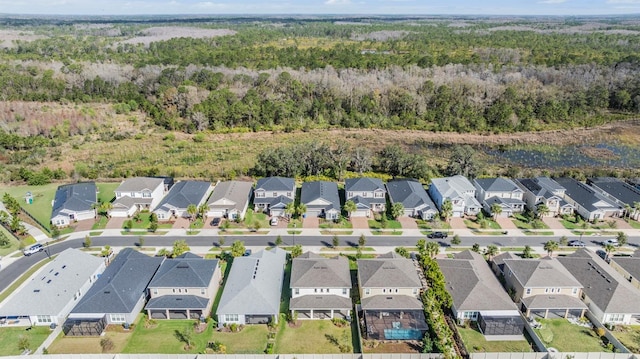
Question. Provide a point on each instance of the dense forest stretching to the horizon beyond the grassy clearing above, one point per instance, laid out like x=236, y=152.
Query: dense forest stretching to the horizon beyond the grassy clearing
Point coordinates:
x=221, y=75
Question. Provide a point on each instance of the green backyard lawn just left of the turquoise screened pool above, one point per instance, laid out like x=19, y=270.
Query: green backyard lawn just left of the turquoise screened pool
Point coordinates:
x=311, y=337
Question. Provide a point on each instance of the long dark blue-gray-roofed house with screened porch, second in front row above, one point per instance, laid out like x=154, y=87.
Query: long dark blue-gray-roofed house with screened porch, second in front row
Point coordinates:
x=117, y=297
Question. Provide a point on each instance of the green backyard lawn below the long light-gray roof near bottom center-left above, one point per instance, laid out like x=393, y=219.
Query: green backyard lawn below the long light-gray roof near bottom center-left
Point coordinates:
x=251, y=340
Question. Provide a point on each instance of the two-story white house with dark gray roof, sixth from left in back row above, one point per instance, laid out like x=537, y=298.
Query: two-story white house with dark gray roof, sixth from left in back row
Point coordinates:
x=321, y=199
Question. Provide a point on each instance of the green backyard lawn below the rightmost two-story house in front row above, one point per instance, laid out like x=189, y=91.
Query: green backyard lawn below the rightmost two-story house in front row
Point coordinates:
x=567, y=337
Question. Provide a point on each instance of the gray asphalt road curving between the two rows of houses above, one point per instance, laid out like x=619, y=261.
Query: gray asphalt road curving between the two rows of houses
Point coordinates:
x=16, y=269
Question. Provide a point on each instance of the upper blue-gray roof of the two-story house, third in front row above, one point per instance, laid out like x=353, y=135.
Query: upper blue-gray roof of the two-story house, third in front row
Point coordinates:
x=185, y=272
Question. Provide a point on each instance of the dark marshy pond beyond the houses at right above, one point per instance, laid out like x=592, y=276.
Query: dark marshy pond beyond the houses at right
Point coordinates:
x=567, y=156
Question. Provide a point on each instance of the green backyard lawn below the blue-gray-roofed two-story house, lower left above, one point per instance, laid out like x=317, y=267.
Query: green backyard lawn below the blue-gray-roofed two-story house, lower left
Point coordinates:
x=162, y=338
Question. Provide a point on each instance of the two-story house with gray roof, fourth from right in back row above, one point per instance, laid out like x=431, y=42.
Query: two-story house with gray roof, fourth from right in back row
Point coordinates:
x=501, y=191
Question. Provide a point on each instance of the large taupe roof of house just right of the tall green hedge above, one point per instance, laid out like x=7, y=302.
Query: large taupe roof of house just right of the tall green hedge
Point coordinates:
x=472, y=284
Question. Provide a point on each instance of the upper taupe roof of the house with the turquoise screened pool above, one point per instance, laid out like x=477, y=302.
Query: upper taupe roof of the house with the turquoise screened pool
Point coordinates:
x=383, y=272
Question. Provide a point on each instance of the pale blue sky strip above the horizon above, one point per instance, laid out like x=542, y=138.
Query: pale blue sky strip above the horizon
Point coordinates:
x=414, y=7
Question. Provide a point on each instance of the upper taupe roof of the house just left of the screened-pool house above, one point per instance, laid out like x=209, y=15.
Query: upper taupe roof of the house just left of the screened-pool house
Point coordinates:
x=313, y=271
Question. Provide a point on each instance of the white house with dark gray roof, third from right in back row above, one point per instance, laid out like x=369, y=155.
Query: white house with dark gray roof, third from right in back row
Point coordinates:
x=544, y=190
